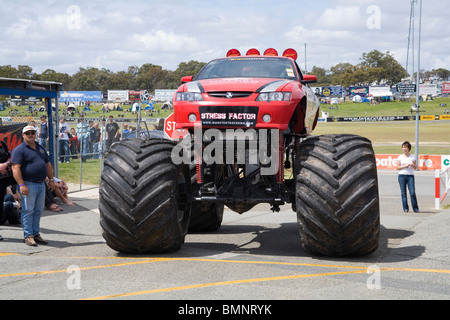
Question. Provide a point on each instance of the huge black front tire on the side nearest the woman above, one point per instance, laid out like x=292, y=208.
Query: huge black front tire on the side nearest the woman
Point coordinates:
x=337, y=196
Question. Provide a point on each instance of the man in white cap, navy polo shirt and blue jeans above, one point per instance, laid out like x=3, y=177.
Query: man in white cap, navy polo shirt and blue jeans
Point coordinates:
x=30, y=167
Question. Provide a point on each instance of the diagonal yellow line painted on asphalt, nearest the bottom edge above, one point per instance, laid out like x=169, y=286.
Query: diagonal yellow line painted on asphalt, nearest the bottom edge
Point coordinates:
x=223, y=283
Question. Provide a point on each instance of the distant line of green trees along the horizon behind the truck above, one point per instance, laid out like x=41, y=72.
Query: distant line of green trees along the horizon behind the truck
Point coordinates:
x=374, y=67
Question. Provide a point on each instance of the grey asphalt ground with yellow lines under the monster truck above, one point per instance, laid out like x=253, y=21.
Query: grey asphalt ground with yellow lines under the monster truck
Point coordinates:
x=256, y=256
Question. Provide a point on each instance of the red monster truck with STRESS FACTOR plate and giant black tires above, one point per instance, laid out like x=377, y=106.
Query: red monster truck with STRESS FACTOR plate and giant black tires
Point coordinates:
x=245, y=124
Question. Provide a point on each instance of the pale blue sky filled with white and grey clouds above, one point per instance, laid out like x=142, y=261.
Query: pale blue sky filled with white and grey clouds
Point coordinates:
x=115, y=34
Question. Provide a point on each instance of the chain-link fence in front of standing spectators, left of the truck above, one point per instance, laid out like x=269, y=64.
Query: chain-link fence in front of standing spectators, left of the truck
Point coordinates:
x=88, y=149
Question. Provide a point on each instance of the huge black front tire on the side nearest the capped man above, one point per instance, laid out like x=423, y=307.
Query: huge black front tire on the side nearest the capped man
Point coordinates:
x=143, y=197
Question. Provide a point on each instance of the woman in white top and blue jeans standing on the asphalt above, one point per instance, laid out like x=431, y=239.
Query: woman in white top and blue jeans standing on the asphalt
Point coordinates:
x=406, y=164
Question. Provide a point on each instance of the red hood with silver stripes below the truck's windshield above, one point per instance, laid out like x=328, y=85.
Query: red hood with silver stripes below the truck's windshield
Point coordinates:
x=236, y=84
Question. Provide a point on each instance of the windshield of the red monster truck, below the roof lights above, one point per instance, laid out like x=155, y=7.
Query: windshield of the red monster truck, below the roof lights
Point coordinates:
x=249, y=67
